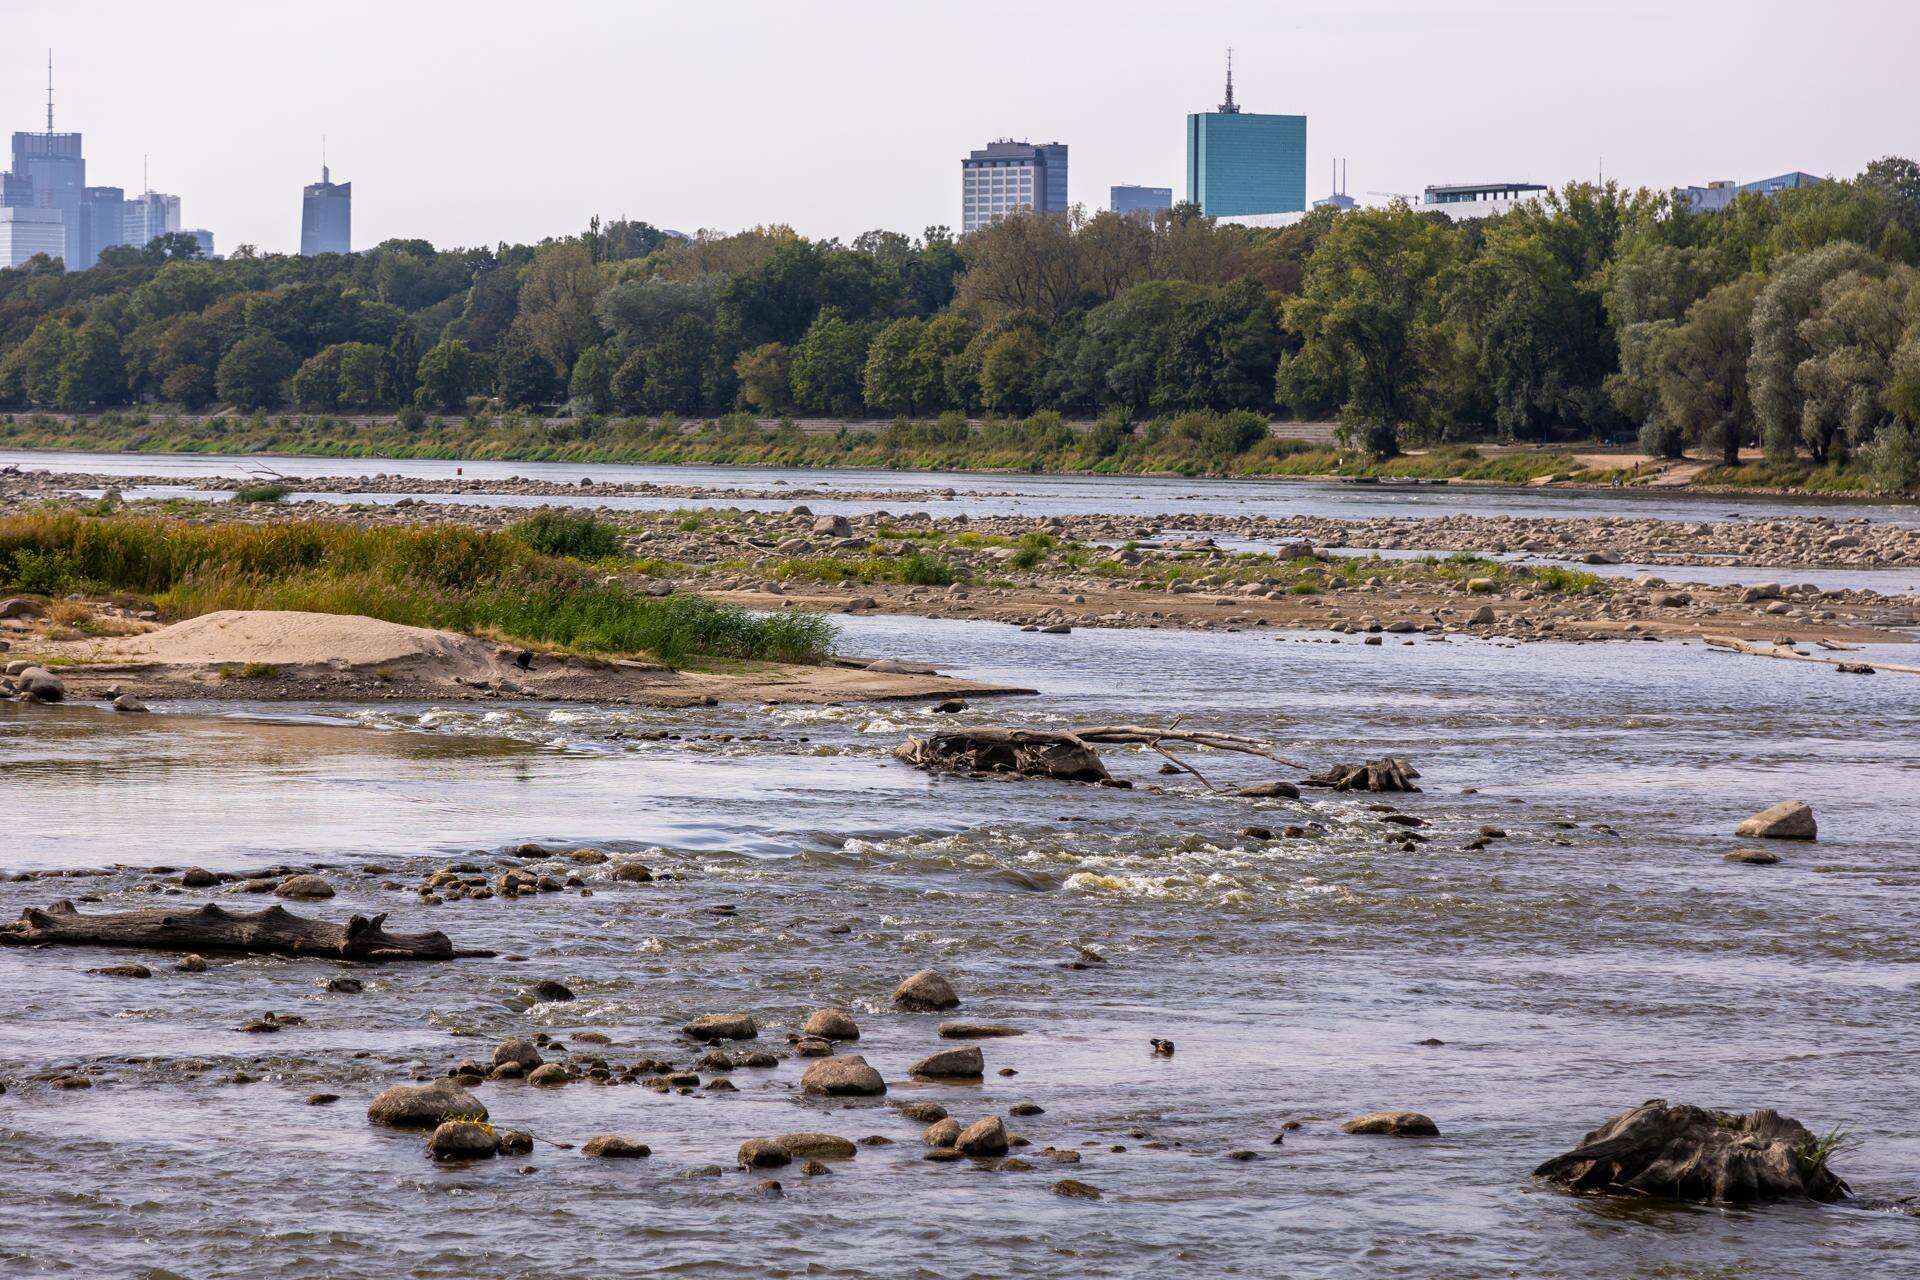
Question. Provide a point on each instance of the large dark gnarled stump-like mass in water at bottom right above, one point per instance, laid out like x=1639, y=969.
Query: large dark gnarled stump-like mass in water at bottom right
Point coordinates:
x=1696, y=1154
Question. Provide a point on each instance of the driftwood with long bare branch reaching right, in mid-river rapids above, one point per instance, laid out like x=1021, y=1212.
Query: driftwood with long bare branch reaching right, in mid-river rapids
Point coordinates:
x=1065, y=755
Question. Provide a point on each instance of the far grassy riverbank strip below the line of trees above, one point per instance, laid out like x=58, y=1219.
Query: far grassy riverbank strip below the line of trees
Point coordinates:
x=1036, y=446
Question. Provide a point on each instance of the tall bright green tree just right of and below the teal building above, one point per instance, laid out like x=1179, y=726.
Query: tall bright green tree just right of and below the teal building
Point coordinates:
x=1370, y=312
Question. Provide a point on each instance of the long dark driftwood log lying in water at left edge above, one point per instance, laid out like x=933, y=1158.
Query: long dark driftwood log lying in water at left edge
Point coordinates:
x=212, y=928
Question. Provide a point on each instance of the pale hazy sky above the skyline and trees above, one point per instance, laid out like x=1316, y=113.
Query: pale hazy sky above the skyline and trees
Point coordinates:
x=489, y=120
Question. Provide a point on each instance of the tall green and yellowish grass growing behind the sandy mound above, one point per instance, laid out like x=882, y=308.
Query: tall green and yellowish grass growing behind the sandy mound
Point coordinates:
x=452, y=579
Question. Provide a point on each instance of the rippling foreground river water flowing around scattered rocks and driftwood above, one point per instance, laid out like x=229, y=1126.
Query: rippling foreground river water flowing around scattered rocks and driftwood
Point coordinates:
x=1596, y=957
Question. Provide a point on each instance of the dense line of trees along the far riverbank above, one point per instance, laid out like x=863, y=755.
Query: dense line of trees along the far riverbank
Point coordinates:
x=1790, y=321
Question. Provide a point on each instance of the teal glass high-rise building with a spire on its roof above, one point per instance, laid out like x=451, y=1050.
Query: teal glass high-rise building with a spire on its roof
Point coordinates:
x=1239, y=162
